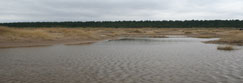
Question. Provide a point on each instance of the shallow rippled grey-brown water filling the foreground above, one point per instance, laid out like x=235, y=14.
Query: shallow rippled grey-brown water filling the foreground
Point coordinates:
x=139, y=60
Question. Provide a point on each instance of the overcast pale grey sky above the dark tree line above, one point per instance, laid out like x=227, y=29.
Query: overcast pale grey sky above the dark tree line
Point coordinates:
x=99, y=10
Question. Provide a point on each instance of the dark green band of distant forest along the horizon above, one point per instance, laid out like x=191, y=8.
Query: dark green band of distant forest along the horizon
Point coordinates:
x=135, y=24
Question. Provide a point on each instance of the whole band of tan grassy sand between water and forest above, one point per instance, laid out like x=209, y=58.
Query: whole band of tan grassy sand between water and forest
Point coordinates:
x=35, y=37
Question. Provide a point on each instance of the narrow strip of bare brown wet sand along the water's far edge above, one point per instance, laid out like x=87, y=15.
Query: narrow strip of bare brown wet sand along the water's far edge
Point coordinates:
x=68, y=42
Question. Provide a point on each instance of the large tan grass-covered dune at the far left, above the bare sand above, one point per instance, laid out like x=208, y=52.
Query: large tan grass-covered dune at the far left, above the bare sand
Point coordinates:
x=40, y=34
